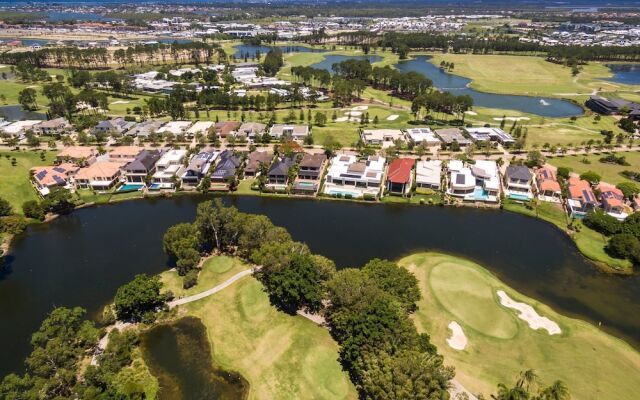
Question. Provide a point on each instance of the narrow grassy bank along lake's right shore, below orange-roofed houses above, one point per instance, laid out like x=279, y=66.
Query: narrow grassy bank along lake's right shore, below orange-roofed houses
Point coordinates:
x=590, y=243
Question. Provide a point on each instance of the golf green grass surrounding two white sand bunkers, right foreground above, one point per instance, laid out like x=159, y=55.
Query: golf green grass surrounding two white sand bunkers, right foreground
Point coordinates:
x=592, y=363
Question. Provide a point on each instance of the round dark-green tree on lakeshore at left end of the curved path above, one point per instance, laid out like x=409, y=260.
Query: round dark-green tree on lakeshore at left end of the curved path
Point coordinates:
x=139, y=299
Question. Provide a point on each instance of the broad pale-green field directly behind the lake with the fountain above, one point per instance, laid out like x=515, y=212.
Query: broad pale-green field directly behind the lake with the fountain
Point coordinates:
x=526, y=75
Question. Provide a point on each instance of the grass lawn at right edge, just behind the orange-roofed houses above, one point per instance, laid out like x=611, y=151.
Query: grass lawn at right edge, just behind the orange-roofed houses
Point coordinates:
x=610, y=173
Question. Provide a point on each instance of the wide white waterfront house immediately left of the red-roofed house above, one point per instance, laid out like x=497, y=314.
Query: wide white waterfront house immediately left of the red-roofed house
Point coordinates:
x=348, y=176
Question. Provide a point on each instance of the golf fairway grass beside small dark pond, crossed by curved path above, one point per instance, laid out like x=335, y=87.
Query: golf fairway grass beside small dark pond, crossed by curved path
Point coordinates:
x=281, y=356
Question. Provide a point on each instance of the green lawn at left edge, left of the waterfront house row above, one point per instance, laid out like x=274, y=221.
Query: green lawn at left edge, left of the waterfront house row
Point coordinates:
x=14, y=180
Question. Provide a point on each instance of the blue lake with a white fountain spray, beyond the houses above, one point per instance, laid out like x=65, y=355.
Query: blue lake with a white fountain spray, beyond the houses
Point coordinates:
x=458, y=85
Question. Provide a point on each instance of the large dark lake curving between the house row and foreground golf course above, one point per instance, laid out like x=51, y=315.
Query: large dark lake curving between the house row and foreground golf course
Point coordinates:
x=81, y=259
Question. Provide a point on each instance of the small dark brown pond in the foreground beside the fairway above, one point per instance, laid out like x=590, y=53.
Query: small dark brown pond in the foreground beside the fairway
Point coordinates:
x=179, y=355
